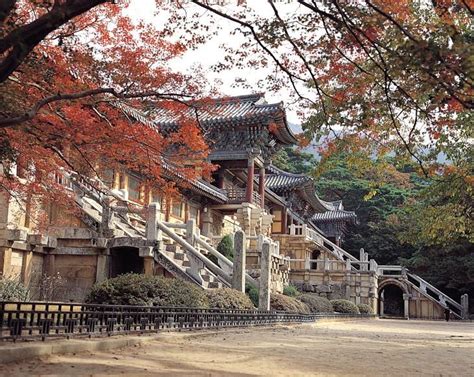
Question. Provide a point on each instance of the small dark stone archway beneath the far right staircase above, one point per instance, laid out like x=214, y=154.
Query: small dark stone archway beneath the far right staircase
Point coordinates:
x=393, y=298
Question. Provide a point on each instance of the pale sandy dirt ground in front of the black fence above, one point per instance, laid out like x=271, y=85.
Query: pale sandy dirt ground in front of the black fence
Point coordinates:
x=360, y=348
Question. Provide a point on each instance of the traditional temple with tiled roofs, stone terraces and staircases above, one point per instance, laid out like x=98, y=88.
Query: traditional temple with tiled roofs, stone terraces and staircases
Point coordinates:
x=129, y=230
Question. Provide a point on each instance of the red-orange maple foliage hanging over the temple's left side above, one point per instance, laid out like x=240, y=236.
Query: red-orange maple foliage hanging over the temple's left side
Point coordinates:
x=60, y=109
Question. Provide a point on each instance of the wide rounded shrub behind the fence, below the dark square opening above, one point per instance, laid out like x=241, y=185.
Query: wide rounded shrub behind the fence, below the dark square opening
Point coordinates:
x=139, y=289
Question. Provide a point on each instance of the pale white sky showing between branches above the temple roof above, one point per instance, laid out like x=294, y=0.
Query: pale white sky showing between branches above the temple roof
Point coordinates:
x=211, y=52
